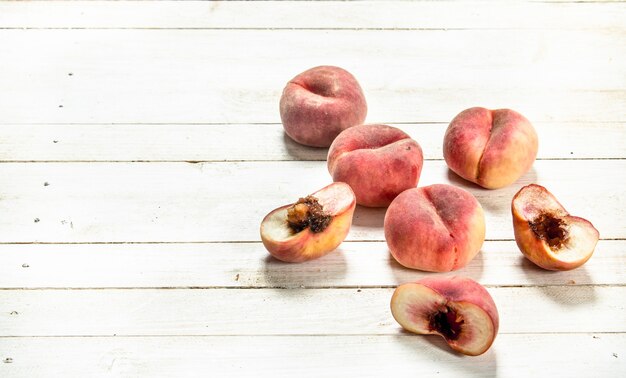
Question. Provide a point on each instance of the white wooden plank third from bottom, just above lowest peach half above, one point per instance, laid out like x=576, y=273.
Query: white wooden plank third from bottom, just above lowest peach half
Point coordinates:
x=248, y=265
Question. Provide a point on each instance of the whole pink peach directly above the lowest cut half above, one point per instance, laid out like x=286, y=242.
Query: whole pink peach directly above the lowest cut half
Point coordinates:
x=436, y=228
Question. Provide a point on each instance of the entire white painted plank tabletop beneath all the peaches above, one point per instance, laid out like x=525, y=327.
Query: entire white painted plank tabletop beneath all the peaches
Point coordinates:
x=141, y=145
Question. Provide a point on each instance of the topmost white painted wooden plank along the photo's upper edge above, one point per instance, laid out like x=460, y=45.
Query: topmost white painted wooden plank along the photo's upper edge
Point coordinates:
x=363, y=14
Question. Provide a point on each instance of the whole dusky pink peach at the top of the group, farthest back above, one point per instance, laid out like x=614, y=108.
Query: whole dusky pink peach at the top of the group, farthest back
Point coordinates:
x=320, y=103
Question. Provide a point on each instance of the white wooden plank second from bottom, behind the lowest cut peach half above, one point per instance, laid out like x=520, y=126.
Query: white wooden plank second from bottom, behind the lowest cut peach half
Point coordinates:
x=149, y=312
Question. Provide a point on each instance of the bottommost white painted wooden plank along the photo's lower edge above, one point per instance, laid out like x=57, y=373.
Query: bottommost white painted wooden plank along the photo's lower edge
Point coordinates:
x=402, y=355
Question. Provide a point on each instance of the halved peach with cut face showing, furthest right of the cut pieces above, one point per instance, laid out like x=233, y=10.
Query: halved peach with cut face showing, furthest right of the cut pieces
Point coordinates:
x=547, y=234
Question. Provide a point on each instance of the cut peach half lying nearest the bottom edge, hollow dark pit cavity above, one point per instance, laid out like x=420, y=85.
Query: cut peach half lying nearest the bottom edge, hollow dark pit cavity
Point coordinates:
x=458, y=309
